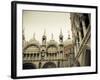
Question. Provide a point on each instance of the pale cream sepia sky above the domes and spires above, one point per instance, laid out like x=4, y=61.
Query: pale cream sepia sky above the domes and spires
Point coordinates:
x=52, y=22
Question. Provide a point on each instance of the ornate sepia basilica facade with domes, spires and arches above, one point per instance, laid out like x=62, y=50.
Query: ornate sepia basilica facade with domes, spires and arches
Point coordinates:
x=48, y=54
